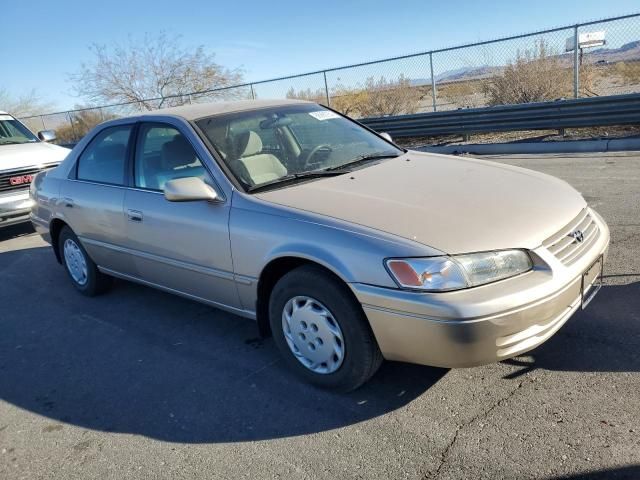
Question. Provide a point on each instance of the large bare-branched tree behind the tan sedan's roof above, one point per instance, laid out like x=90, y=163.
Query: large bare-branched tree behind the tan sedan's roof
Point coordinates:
x=155, y=72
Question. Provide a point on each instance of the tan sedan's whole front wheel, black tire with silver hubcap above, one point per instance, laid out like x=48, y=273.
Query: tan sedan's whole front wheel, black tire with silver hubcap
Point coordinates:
x=321, y=330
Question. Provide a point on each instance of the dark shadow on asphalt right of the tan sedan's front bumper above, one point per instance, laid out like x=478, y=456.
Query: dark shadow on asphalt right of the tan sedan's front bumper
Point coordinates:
x=605, y=337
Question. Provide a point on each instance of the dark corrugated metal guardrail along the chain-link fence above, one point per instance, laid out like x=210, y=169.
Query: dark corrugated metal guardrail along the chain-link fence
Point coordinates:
x=574, y=113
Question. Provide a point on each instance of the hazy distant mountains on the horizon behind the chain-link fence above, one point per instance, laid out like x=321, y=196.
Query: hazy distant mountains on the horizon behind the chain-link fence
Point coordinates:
x=627, y=52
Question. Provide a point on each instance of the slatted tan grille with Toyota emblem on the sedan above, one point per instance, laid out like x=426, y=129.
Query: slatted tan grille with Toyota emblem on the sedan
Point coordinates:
x=565, y=247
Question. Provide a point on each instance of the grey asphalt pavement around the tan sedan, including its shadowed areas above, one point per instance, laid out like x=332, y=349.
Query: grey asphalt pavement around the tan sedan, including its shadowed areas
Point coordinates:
x=141, y=384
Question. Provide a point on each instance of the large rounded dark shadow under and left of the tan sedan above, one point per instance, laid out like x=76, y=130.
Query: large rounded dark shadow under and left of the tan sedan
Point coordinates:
x=140, y=361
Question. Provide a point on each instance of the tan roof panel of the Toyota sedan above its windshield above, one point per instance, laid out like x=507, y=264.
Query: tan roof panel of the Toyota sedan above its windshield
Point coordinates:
x=200, y=110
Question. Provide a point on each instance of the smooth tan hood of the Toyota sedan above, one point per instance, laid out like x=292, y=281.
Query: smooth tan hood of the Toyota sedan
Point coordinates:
x=453, y=204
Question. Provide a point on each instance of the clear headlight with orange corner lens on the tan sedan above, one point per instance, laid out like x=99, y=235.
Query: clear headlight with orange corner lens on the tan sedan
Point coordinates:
x=458, y=271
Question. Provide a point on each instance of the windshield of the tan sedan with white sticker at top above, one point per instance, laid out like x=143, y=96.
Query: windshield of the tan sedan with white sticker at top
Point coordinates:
x=289, y=143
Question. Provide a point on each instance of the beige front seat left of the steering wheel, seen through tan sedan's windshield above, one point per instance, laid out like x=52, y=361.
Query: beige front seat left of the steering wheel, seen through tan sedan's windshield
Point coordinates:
x=261, y=167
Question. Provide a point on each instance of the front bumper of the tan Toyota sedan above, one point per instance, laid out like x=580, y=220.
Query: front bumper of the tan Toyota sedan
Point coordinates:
x=480, y=325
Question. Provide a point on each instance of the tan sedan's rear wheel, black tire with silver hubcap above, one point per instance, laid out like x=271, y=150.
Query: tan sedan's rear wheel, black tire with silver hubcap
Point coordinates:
x=82, y=271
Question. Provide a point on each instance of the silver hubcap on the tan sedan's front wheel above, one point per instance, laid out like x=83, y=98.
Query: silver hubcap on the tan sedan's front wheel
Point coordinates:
x=313, y=334
